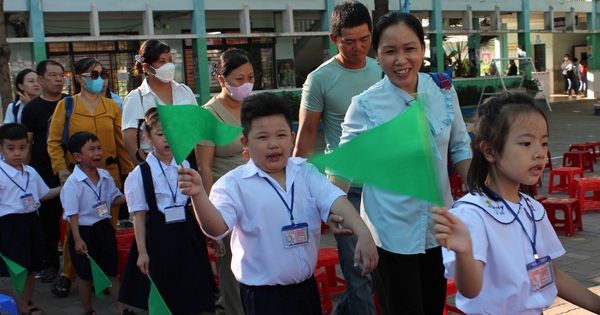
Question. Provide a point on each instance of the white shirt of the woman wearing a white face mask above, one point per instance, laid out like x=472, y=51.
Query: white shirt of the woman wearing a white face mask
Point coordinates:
x=134, y=109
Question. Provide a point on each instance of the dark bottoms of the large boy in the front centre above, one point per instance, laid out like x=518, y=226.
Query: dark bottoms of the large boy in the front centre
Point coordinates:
x=294, y=299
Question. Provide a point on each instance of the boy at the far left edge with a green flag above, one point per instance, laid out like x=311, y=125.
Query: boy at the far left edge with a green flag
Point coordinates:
x=21, y=236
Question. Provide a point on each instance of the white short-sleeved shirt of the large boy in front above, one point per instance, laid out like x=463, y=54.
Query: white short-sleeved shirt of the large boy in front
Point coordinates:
x=255, y=215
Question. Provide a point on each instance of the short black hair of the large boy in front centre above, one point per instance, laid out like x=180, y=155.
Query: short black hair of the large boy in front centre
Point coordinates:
x=263, y=105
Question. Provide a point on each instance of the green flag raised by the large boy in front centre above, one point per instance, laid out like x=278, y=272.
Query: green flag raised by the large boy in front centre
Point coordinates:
x=185, y=125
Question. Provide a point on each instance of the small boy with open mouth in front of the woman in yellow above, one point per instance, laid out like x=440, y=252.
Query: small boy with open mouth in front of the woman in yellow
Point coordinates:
x=87, y=197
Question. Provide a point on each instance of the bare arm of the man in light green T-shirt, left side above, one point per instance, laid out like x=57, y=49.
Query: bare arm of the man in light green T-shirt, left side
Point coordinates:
x=308, y=126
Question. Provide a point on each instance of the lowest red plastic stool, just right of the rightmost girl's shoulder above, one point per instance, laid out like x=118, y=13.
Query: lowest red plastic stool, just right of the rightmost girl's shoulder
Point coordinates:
x=571, y=214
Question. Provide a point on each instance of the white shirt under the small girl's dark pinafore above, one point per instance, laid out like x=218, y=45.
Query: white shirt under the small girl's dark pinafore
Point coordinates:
x=134, y=187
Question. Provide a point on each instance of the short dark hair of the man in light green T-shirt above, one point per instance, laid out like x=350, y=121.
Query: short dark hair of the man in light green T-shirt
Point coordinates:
x=349, y=15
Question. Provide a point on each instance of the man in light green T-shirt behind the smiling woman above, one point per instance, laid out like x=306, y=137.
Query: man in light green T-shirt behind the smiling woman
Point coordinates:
x=326, y=95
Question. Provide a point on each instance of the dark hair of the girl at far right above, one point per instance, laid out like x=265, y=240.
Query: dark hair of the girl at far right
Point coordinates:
x=492, y=125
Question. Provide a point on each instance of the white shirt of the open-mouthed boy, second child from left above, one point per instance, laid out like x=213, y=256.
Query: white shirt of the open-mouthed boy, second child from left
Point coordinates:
x=78, y=198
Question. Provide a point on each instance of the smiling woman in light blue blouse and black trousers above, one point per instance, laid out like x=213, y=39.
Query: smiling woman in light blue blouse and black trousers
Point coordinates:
x=409, y=278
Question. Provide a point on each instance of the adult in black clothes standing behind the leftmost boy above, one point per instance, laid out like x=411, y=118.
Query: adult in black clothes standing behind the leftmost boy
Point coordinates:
x=36, y=115
